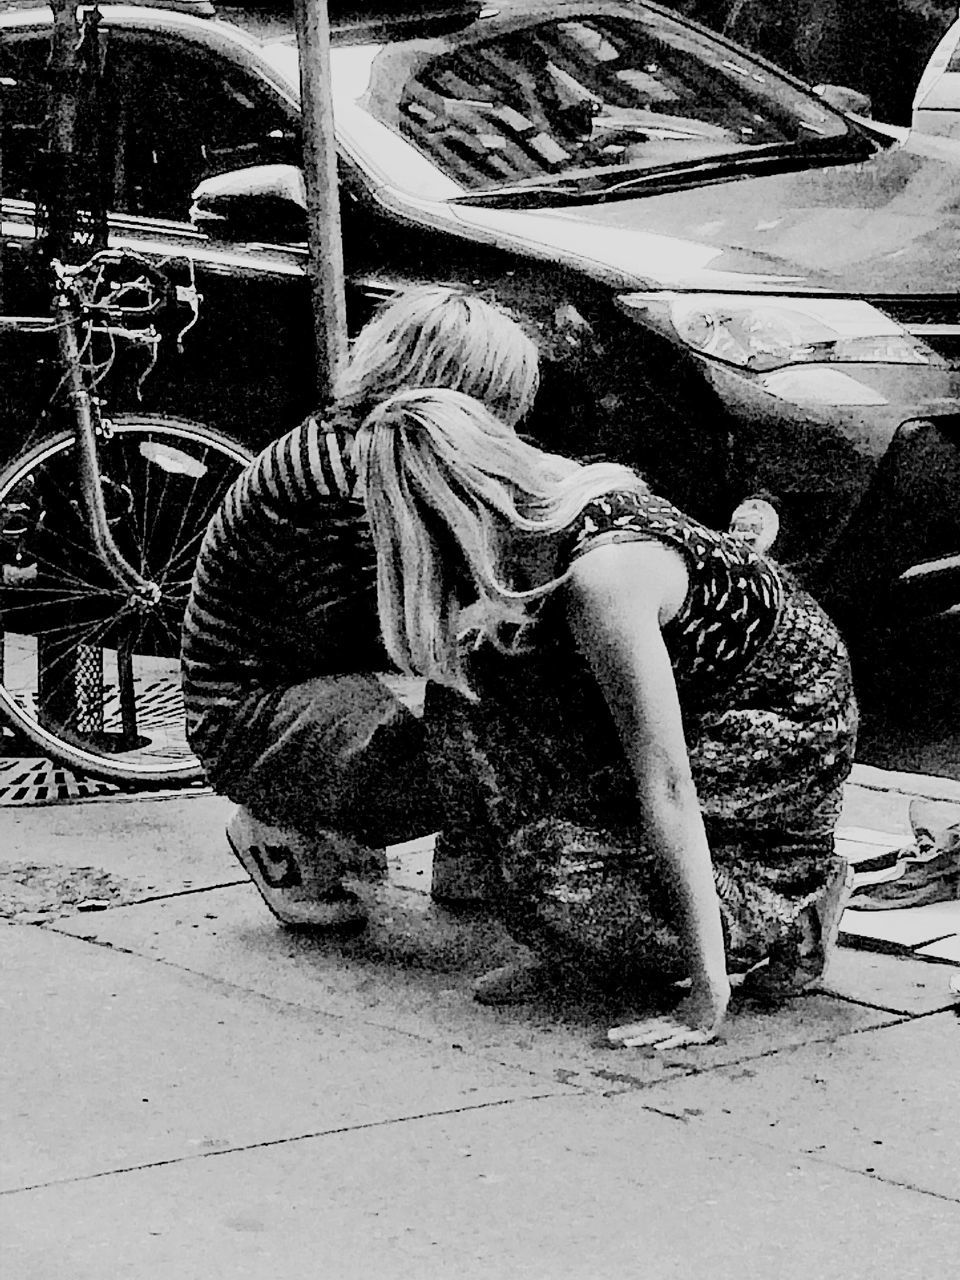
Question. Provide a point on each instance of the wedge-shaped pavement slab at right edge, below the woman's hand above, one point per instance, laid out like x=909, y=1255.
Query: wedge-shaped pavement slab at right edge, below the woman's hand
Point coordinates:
x=883, y=1103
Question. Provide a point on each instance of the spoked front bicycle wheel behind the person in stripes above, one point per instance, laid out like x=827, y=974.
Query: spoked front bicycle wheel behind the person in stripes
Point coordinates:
x=88, y=674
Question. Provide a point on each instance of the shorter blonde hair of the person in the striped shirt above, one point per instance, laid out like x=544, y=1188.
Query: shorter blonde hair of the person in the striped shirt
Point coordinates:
x=442, y=336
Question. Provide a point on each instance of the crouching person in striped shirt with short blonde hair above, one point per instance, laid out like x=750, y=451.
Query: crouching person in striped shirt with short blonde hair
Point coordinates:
x=281, y=638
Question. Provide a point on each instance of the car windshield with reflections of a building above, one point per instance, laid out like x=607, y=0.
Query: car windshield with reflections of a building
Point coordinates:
x=588, y=90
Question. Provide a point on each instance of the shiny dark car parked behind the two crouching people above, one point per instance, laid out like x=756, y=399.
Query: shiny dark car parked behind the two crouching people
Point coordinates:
x=738, y=290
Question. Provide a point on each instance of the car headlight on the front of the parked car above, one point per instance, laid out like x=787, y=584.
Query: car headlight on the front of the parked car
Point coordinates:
x=761, y=335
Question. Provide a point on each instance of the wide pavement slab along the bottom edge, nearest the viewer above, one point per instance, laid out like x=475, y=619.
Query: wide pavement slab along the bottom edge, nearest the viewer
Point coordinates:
x=559, y=1190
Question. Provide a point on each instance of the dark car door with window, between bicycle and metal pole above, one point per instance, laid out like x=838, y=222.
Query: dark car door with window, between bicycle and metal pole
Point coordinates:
x=177, y=113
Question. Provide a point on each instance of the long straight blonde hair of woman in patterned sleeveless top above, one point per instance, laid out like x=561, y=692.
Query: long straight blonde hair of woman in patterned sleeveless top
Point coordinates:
x=451, y=495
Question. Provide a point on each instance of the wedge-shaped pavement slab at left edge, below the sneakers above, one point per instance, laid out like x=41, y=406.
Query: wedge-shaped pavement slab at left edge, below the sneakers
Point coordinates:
x=113, y=1062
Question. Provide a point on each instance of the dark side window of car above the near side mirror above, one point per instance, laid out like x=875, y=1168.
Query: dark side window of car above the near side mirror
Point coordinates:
x=177, y=117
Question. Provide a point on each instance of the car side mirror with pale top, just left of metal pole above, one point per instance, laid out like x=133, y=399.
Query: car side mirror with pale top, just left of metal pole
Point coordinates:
x=266, y=203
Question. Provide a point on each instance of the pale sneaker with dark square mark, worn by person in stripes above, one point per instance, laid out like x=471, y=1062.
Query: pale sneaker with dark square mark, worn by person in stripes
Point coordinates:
x=290, y=874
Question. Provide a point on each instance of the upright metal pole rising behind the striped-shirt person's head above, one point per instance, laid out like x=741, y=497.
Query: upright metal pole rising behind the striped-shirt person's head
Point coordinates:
x=324, y=243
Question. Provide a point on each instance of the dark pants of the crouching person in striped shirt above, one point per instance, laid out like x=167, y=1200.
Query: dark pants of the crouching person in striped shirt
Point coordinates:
x=344, y=756
